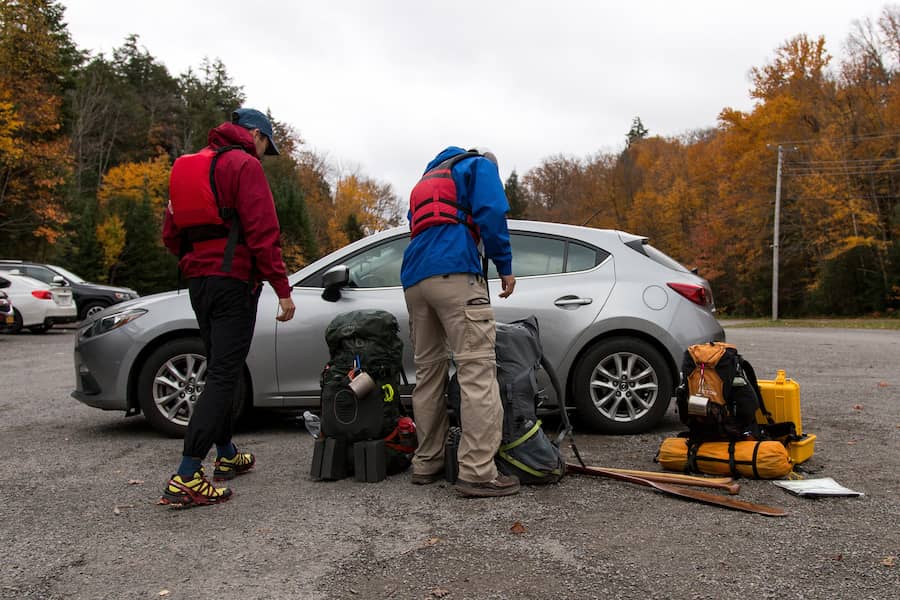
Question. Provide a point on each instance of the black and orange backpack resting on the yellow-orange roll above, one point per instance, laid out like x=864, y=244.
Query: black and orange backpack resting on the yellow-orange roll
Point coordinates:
x=719, y=396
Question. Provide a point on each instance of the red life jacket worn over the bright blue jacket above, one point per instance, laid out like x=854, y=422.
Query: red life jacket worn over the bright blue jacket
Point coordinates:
x=433, y=201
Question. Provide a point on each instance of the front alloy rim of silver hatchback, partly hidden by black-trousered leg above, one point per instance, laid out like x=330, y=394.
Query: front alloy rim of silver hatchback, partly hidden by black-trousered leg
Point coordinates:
x=176, y=386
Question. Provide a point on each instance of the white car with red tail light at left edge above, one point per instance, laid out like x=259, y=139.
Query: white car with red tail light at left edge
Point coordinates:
x=36, y=305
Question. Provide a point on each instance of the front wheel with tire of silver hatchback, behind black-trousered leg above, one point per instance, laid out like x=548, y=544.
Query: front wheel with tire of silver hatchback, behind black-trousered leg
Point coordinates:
x=168, y=402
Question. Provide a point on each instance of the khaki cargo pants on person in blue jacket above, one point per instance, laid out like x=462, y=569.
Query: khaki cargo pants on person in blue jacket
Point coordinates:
x=451, y=315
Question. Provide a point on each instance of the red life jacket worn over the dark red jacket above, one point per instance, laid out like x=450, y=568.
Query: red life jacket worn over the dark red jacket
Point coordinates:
x=194, y=203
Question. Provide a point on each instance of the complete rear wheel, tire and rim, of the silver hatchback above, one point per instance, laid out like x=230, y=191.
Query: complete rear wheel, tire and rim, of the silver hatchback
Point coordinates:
x=622, y=385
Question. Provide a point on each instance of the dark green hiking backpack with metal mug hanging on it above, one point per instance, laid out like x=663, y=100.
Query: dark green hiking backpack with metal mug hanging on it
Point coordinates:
x=362, y=342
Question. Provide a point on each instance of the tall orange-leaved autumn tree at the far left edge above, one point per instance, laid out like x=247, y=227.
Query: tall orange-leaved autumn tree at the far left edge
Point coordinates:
x=36, y=57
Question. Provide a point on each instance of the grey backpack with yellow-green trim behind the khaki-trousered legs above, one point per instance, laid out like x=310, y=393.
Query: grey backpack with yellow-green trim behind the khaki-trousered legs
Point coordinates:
x=526, y=451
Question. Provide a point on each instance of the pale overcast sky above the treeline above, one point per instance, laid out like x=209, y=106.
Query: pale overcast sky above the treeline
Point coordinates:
x=383, y=86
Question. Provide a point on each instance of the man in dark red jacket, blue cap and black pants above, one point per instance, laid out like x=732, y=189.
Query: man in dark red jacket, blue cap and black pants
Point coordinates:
x=221, y=223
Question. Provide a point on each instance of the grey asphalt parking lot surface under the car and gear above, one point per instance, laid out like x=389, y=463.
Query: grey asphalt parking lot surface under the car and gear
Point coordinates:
x=78, y=517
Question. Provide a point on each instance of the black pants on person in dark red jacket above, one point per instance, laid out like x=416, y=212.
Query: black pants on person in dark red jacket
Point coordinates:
x=226, y=312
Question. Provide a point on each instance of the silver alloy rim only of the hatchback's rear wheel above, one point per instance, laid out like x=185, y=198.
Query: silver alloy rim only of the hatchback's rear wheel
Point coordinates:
x=624, y=387
